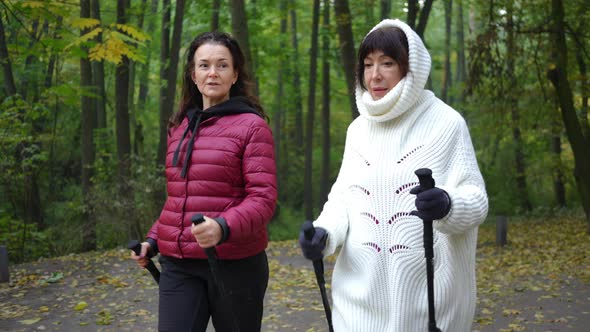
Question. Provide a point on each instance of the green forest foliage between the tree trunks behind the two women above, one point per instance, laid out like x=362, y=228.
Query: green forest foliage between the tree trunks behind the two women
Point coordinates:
x=40, y=126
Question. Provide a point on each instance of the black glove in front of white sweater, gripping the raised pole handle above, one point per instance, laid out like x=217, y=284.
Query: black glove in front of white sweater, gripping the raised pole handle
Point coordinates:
x=432, y=204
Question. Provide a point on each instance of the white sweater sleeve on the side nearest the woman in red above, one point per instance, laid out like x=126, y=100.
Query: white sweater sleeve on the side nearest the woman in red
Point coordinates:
x=334, y=215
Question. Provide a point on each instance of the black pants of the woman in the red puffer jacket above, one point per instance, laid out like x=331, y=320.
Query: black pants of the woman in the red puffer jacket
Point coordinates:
x=189, y=296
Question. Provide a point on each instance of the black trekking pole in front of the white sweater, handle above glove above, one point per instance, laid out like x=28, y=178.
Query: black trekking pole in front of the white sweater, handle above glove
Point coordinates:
x=427, y=182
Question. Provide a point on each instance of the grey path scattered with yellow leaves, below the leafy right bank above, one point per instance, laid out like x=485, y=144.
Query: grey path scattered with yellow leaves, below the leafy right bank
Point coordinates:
x=91, y=292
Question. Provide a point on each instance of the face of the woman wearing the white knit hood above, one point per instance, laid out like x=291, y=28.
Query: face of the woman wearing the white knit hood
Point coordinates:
x=381, y=73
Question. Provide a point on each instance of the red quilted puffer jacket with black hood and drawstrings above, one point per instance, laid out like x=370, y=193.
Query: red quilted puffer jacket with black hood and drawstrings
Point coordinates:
x=230, y=173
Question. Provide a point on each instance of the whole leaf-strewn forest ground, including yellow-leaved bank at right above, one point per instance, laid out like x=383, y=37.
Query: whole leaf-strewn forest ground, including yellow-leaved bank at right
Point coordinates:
x=540, y=281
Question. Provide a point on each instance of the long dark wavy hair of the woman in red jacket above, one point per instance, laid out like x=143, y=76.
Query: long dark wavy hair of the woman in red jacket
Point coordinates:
x=191, y=96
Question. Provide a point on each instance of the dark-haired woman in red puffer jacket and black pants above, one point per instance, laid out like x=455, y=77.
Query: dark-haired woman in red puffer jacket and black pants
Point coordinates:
x=220, y=164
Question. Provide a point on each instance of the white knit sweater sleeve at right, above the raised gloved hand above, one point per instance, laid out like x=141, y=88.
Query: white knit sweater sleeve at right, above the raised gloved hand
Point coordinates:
x=466, y=189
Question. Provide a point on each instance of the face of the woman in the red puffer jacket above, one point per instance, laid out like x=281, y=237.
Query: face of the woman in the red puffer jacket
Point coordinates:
x=214, y=73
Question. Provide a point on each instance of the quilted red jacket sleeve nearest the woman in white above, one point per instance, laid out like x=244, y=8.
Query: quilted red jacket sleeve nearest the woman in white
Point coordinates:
x=259, y=172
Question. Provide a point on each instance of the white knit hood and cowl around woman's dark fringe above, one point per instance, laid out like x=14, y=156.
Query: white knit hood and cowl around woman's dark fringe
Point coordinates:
x=405, y=94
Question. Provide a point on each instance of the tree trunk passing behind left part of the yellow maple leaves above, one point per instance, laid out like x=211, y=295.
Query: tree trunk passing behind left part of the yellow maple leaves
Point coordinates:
x=88, y=124
